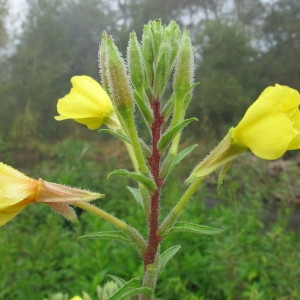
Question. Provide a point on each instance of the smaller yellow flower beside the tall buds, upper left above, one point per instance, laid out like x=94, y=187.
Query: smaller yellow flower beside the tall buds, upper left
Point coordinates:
x=88, y=104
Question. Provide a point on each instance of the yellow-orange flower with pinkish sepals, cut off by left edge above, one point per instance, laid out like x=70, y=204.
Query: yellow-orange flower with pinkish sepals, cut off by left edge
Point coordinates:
x=17, y=191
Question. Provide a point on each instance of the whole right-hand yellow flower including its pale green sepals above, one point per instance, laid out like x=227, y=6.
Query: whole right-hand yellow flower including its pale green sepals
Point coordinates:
x=270, y=127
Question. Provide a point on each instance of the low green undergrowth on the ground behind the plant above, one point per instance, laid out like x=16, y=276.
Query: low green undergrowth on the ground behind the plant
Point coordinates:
x=254, y=258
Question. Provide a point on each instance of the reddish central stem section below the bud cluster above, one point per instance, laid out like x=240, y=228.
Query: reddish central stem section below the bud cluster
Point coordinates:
x=154, y=162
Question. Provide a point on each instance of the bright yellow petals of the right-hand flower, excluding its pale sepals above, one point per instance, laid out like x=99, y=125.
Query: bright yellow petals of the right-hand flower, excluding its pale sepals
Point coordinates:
x=271, y=125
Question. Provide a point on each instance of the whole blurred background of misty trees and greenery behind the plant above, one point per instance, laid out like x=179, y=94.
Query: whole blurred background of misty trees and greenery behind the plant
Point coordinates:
x=240, y=47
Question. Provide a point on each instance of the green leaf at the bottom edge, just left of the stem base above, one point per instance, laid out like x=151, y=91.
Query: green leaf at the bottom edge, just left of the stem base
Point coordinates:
x=131, y=288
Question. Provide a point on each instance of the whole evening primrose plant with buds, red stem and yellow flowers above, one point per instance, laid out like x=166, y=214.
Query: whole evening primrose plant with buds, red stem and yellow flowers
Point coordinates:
x=155, y=80
